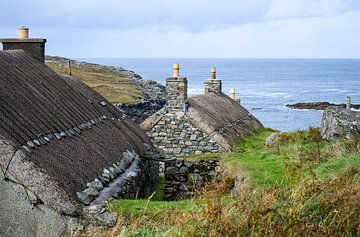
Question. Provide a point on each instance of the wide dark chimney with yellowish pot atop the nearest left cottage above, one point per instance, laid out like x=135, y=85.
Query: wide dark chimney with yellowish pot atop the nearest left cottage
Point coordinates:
x=33, y=46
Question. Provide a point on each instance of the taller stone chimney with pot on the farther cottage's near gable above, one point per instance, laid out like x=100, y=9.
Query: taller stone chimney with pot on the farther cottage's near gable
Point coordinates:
x=176, y=91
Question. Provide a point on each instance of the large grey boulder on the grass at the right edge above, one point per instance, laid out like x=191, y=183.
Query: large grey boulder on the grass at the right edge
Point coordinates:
x=338, y=122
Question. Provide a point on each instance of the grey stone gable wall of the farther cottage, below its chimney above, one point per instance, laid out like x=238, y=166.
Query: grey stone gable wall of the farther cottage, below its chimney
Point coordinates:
x=175, y=134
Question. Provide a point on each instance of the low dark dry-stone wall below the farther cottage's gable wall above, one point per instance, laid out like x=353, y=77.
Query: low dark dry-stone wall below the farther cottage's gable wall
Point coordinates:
x=183, y=176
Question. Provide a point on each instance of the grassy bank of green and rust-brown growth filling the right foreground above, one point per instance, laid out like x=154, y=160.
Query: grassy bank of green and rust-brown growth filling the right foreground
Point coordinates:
x=299, y=185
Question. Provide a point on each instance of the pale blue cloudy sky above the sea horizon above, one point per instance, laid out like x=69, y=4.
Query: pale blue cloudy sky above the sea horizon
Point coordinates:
x=189, y=28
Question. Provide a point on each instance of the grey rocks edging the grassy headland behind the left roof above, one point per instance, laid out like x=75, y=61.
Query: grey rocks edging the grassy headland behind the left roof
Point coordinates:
x=154, y=93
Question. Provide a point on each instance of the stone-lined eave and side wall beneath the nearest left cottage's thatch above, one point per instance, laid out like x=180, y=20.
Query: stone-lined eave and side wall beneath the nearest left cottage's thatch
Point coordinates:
x=130, y=178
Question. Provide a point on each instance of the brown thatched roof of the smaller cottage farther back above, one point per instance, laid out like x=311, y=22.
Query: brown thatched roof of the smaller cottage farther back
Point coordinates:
x=221, y=117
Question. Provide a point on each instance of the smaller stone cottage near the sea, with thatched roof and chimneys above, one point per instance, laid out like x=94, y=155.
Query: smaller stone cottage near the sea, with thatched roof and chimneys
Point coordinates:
x=208, y=123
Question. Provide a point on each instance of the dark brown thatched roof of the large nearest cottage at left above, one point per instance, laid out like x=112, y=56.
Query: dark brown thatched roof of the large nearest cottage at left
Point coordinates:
x=37, y=103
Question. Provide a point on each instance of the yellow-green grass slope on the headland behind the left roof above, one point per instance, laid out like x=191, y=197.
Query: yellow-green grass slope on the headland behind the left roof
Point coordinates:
x=114, y=88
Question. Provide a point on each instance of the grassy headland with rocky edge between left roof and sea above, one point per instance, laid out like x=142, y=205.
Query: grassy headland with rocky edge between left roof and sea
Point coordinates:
x=135, y=97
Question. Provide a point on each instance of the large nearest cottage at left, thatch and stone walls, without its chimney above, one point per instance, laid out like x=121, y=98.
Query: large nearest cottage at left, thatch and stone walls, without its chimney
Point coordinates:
x=64, y=151
